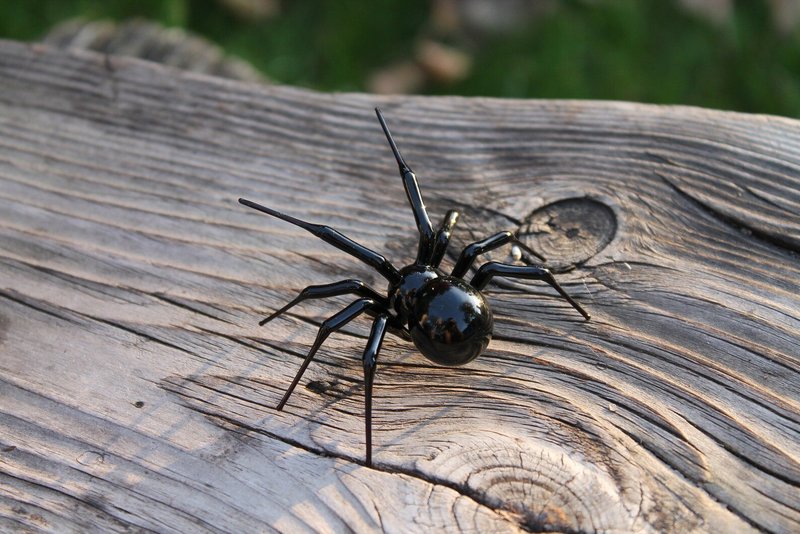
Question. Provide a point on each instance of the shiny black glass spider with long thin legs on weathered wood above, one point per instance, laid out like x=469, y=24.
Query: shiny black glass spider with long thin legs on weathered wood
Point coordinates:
x=447, y=317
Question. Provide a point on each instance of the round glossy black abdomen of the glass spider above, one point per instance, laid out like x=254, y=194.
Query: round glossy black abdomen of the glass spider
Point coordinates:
x=451, y=323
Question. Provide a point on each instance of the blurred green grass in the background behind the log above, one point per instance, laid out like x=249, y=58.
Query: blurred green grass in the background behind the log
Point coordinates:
x=638, y=50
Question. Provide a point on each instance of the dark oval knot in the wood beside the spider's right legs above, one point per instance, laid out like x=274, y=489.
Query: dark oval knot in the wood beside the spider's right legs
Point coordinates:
x=569, y=231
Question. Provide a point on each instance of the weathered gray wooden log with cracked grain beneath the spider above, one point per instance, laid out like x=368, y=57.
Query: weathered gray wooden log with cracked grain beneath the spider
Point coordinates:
x=138, y=391
